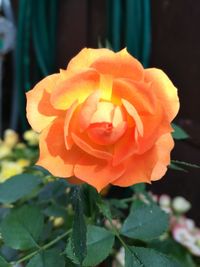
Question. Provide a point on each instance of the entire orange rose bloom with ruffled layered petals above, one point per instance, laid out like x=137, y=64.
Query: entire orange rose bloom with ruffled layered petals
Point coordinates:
x=104, y=120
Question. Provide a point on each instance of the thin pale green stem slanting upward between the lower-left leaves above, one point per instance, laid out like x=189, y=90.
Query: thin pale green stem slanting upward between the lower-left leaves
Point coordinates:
x=46, y=246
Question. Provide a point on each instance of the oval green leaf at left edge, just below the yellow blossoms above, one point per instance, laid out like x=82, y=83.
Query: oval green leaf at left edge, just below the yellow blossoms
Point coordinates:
x=17, y=187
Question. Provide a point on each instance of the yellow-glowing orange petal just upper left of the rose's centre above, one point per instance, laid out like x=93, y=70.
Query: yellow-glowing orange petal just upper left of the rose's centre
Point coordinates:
x=79, y=87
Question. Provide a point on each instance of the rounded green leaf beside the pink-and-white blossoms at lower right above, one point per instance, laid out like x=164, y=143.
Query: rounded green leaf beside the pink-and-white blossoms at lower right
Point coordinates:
x=145, y=222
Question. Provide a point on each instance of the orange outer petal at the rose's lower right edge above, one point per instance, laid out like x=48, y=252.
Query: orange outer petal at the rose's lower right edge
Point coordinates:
x=150, y=165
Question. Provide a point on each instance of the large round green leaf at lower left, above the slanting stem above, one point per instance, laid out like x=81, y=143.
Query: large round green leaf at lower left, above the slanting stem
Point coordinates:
x=21, y=229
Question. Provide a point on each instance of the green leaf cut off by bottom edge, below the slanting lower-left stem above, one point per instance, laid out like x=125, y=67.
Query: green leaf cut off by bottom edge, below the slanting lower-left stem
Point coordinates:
x=48, y=258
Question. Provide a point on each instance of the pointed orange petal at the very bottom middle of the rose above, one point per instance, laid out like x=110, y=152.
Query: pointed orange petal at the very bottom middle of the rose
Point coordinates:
x=98, y=173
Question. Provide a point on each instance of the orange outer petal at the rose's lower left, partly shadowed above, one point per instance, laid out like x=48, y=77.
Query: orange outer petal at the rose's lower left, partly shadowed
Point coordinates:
x=53, y=154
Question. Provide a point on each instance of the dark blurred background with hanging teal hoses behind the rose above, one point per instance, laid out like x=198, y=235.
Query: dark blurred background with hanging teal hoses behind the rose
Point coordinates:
x=37, y=37
